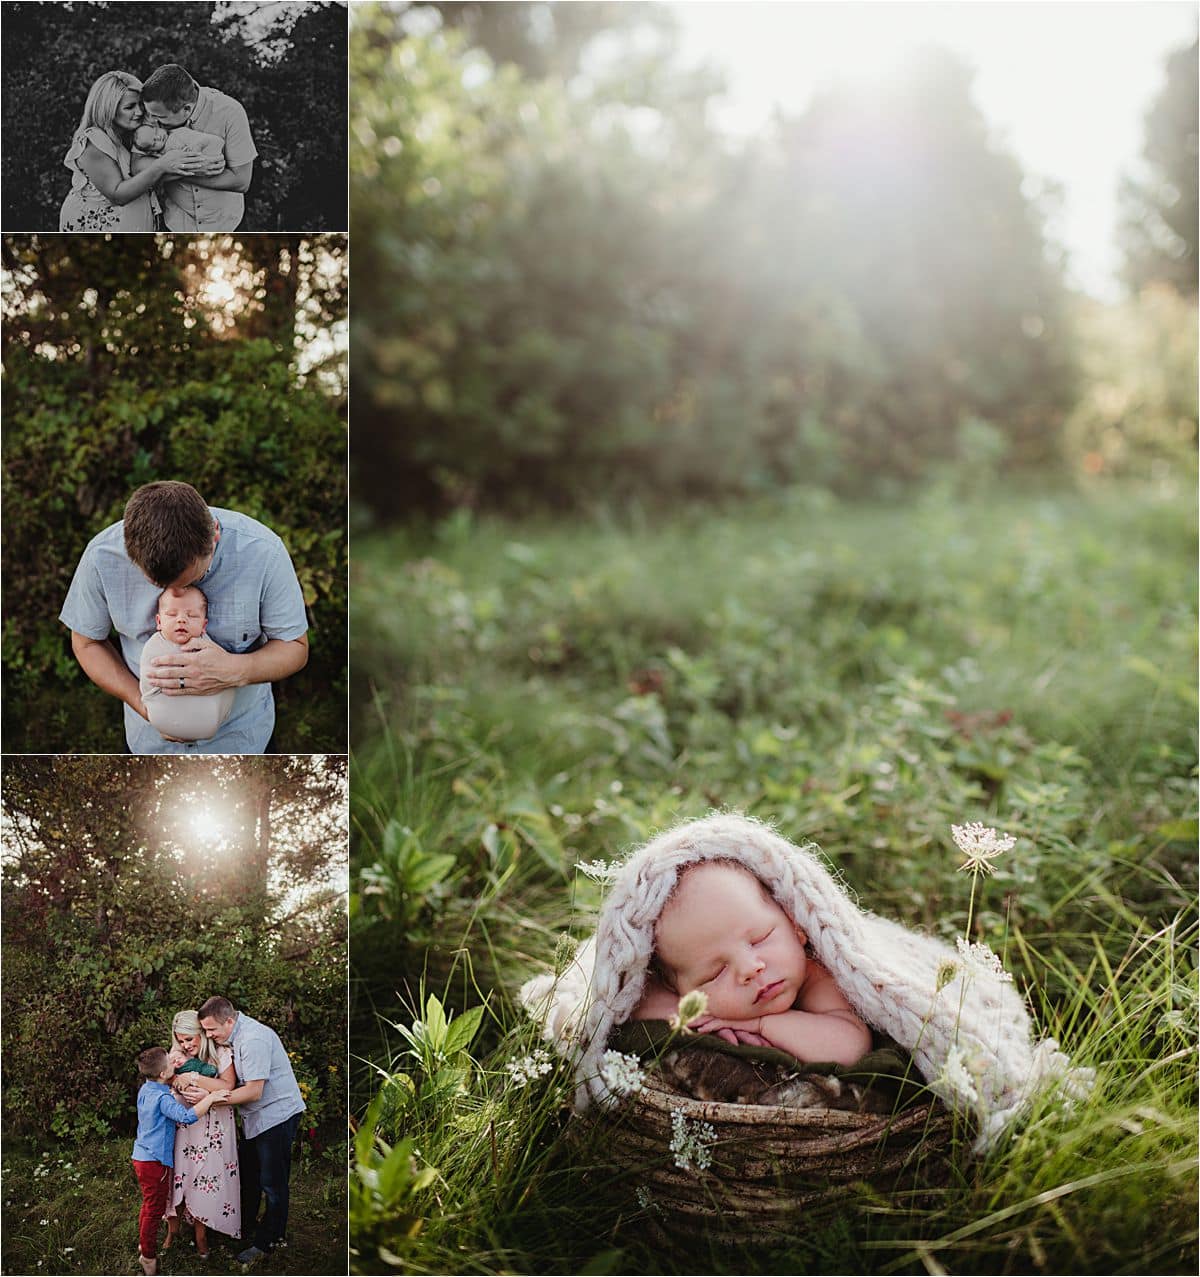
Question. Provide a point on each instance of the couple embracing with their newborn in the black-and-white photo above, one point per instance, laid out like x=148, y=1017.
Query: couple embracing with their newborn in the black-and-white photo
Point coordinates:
x=169, y=147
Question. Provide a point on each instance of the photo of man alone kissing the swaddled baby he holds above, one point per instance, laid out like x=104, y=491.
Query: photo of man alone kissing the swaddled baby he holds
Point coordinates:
x=176, y=494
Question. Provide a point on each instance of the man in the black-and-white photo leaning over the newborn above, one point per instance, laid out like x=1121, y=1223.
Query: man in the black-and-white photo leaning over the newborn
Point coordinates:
x=173, y=99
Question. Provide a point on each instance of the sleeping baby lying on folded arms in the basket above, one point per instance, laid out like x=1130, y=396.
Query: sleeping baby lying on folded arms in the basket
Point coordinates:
x=722, y=933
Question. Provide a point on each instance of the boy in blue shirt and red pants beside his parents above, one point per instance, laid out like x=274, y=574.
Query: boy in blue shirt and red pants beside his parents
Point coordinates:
x=154, y=1151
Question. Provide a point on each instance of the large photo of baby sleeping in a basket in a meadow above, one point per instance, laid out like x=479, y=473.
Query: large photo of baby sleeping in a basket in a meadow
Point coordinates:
x=773, y=639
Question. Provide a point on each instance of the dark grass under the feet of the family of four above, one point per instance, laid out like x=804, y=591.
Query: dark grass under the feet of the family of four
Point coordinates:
x=82, y=1218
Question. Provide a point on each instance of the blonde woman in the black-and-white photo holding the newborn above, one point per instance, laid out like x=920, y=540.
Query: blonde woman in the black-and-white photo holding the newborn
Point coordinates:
x=107, y=195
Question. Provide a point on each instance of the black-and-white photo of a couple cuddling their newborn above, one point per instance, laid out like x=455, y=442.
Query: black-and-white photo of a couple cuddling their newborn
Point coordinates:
x=182, y=117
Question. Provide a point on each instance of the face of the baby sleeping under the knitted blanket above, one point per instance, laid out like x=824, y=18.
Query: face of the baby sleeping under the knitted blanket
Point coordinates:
x=724, y=935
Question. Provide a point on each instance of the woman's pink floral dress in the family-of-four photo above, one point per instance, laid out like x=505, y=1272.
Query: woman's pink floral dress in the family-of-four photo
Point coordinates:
x=206, y=1184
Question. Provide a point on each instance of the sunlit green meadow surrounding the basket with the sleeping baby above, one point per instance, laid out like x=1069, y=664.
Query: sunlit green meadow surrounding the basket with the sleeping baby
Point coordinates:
x=538, y=693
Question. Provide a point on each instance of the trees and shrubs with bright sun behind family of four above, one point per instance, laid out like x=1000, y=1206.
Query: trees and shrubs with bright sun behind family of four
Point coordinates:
x=137, y=888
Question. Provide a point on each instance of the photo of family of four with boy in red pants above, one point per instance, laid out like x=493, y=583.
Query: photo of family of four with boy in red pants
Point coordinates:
x=174, y=1027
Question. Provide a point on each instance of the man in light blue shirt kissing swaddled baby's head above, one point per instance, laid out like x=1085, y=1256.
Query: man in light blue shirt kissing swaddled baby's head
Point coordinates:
x=257, y=634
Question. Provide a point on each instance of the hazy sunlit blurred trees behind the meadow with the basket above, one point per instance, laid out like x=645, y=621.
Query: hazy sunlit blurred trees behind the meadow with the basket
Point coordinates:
x=574, y=289
